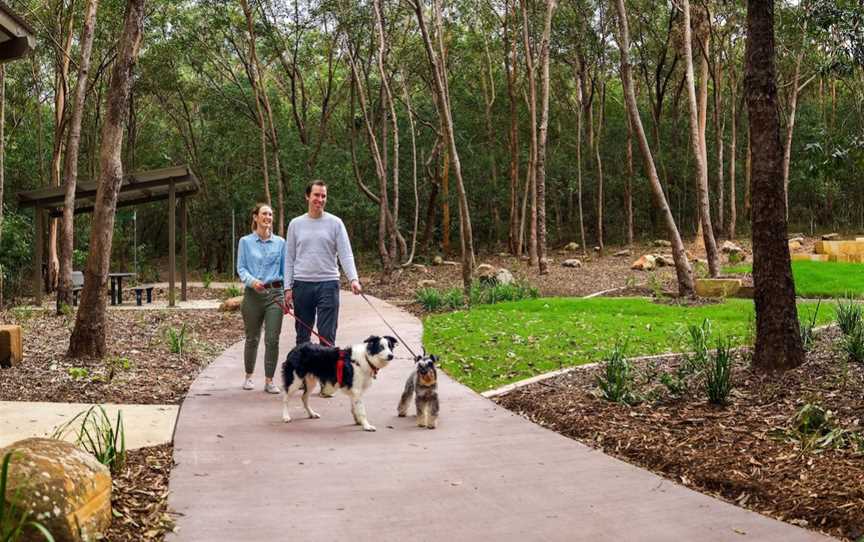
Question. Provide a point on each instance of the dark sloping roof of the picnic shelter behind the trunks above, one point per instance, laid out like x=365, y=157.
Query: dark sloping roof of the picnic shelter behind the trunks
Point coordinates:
x=138, y=188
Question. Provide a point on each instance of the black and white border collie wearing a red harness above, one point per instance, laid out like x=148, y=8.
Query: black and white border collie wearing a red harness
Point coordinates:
x=349, y=369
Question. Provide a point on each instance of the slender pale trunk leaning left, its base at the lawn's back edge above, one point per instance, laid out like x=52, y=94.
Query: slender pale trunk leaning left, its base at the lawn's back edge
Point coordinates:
x=682, y=266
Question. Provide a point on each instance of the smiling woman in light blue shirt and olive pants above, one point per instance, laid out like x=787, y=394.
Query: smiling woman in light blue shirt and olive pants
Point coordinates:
x=261, y=268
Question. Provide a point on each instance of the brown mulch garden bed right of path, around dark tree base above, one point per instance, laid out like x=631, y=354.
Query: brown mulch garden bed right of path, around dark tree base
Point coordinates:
x=744, y=452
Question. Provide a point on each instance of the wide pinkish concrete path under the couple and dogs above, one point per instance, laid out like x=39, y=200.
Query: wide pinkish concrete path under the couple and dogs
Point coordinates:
x=485, y=473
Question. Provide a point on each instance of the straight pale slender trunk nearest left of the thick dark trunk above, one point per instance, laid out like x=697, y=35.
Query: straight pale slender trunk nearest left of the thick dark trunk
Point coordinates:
x=698, y=143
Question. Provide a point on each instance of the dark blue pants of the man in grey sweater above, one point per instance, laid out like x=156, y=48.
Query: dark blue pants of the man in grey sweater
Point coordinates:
x=319, y=299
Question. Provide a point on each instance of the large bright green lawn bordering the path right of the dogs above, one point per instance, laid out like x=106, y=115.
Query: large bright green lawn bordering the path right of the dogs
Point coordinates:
x=493, y=345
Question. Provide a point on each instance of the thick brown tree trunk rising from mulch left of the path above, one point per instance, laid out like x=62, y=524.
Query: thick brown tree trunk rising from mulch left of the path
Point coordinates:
x=88, y=337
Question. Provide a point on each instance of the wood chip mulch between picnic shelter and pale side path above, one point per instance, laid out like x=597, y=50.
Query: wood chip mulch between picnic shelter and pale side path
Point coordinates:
x=139, y=369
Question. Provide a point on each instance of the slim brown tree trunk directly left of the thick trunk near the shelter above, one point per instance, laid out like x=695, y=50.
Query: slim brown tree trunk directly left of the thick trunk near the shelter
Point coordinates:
x=70, y=173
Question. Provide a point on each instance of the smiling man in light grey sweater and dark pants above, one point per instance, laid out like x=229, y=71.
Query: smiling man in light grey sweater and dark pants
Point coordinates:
x=312, y=245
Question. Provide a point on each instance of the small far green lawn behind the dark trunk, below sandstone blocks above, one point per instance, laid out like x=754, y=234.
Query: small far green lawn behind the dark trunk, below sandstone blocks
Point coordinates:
x=821, y=279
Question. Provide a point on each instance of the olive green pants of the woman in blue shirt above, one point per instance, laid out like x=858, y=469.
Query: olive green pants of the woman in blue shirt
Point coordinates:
x=262, y=309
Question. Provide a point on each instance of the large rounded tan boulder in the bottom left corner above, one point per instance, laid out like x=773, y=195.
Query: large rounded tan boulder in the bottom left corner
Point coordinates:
x=64, y=488
